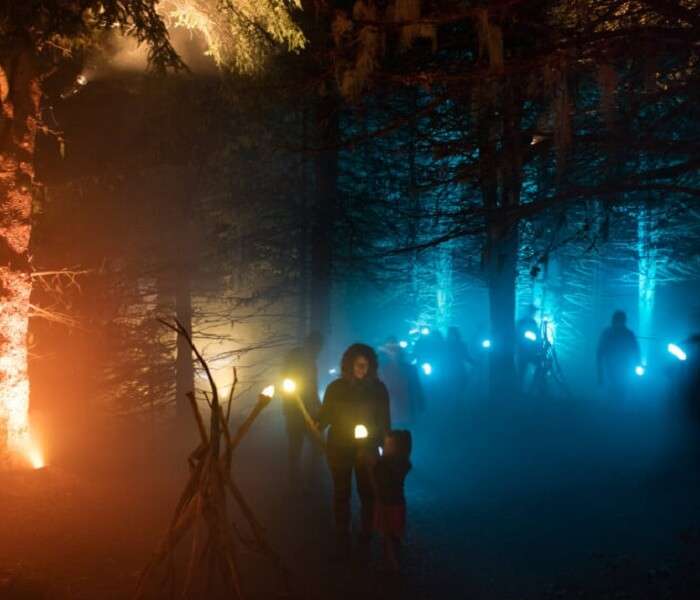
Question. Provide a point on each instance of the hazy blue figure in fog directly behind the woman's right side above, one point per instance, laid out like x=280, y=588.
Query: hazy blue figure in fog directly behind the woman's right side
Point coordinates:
x=402, y=381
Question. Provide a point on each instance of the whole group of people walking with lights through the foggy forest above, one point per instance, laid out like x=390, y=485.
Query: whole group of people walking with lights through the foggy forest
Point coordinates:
x=356, y=413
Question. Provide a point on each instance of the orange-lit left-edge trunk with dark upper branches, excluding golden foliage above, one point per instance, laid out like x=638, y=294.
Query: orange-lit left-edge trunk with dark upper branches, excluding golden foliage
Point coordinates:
x=31, y=45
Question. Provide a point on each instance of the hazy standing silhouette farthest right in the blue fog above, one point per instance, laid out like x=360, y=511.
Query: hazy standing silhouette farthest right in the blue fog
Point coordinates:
x=617, y=356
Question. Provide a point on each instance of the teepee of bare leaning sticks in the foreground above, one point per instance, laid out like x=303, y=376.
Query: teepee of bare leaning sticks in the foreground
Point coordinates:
x=203, y=509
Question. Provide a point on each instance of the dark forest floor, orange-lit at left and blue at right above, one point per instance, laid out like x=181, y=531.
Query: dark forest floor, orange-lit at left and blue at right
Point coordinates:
x=527, y=501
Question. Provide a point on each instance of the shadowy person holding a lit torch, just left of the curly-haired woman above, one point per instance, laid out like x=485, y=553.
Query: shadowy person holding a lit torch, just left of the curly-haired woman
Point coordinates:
x=300, y=366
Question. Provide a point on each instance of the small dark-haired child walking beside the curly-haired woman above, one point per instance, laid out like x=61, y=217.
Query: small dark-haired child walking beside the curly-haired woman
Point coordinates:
x=389, y=474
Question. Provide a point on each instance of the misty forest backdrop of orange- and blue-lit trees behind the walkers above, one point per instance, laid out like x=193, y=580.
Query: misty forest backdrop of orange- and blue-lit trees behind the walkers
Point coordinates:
x=408, y=162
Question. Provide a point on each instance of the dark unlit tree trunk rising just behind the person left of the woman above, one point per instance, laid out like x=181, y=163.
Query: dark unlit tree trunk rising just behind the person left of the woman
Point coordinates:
x=324, y=215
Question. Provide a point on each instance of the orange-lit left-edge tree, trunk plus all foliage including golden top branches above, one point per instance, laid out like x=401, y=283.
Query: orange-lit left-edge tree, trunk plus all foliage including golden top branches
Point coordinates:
x=239, y=35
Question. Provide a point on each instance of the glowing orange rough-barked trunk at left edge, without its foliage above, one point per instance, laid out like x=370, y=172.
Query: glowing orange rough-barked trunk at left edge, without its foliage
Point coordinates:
x=20, y=93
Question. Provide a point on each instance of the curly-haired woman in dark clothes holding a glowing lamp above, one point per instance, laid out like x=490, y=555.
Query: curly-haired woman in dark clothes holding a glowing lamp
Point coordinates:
x=356, y=412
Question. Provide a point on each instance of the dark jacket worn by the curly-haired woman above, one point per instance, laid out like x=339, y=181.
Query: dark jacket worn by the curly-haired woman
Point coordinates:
x=348, y=403
